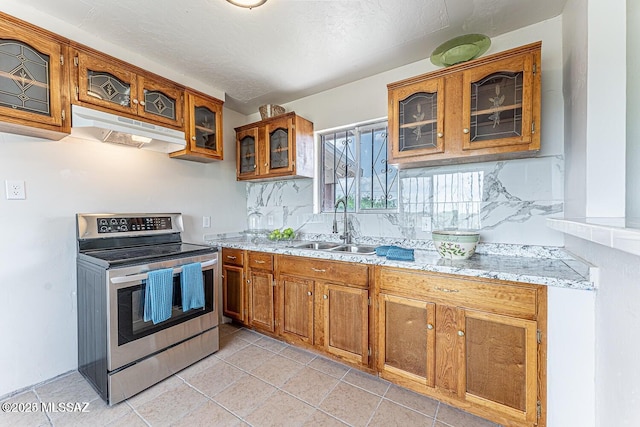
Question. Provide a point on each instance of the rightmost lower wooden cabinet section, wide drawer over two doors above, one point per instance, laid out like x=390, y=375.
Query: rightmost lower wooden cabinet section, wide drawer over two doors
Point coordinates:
x=475, y=344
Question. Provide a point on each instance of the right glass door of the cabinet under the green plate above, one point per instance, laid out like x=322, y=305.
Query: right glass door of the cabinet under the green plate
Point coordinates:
x=498, y=104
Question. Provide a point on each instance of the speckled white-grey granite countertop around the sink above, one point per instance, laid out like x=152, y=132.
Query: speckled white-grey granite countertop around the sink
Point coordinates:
x=517, y=263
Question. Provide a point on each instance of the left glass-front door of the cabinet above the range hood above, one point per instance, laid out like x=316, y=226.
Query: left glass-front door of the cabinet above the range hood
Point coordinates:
x=103, y=84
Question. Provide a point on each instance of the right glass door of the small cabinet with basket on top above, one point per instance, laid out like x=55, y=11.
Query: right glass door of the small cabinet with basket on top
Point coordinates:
x=279, y=146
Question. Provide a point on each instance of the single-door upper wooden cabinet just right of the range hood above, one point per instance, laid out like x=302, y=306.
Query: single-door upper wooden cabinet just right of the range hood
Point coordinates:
x=203, y=129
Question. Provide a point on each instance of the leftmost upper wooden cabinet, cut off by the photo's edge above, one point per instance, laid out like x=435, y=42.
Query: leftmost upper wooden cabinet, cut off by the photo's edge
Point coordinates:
x=33, y=81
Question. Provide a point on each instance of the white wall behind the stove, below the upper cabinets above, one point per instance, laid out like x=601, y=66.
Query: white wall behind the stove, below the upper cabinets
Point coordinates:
x=38, y=247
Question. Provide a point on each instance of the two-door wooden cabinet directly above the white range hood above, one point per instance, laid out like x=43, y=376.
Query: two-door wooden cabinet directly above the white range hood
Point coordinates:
x=104, y=82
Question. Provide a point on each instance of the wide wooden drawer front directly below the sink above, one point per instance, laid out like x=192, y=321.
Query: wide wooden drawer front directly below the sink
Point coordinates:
x=330, y=271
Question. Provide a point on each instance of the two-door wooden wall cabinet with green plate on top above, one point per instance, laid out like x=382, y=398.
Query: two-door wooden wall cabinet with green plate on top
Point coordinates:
x=486, y=109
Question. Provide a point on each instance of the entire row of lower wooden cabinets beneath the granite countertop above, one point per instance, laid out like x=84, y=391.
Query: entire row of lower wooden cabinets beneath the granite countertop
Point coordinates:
x=477, y=344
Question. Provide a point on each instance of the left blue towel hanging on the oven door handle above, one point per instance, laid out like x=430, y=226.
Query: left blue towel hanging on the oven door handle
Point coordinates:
x=158, y=295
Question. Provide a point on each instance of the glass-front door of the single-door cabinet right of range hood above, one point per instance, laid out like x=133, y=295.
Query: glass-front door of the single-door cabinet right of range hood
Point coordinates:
x=205, y=126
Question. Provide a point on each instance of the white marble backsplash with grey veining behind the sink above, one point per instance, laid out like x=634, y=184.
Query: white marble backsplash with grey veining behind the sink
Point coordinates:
x=507, y=201
